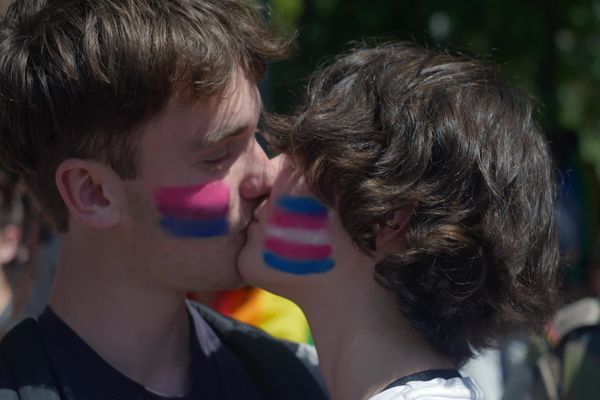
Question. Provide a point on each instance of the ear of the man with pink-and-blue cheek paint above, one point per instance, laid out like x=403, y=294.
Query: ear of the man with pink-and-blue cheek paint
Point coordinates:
x=89, y=189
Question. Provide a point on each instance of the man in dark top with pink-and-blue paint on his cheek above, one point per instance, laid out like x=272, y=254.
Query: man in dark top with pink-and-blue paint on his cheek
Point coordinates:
x=133, y=124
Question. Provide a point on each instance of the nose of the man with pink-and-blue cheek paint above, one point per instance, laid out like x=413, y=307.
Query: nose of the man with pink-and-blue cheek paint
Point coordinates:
x=260, y=175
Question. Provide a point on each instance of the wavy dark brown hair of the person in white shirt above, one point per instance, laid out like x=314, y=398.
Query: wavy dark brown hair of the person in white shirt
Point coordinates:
x=399, y=126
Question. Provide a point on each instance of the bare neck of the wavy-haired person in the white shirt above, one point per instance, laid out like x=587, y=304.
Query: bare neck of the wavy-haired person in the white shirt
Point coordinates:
x=362, y=341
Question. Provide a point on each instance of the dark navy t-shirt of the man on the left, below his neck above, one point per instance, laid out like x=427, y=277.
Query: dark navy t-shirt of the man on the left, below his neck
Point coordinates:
x=83, y=375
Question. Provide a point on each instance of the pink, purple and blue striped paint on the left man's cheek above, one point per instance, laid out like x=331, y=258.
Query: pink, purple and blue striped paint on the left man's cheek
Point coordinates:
x=197, y=211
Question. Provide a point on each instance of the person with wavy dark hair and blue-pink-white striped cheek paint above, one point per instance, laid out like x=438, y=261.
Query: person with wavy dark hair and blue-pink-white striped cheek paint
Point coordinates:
x=412, y=219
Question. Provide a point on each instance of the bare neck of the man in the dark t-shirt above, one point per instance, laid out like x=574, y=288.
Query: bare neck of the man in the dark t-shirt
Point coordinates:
x=140, y=330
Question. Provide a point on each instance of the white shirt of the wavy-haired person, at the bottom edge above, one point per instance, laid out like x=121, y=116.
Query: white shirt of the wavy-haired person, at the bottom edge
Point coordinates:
x=435, y=389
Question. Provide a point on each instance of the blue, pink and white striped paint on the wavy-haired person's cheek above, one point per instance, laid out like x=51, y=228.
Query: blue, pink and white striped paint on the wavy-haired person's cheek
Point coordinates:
x=297, y=240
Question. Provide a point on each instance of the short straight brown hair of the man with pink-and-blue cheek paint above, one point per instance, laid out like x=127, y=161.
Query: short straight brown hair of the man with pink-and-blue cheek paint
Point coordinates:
x=77, y=77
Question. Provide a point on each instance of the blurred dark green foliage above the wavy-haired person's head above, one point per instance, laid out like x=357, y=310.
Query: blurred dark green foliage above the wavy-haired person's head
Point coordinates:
x=551, y=48
